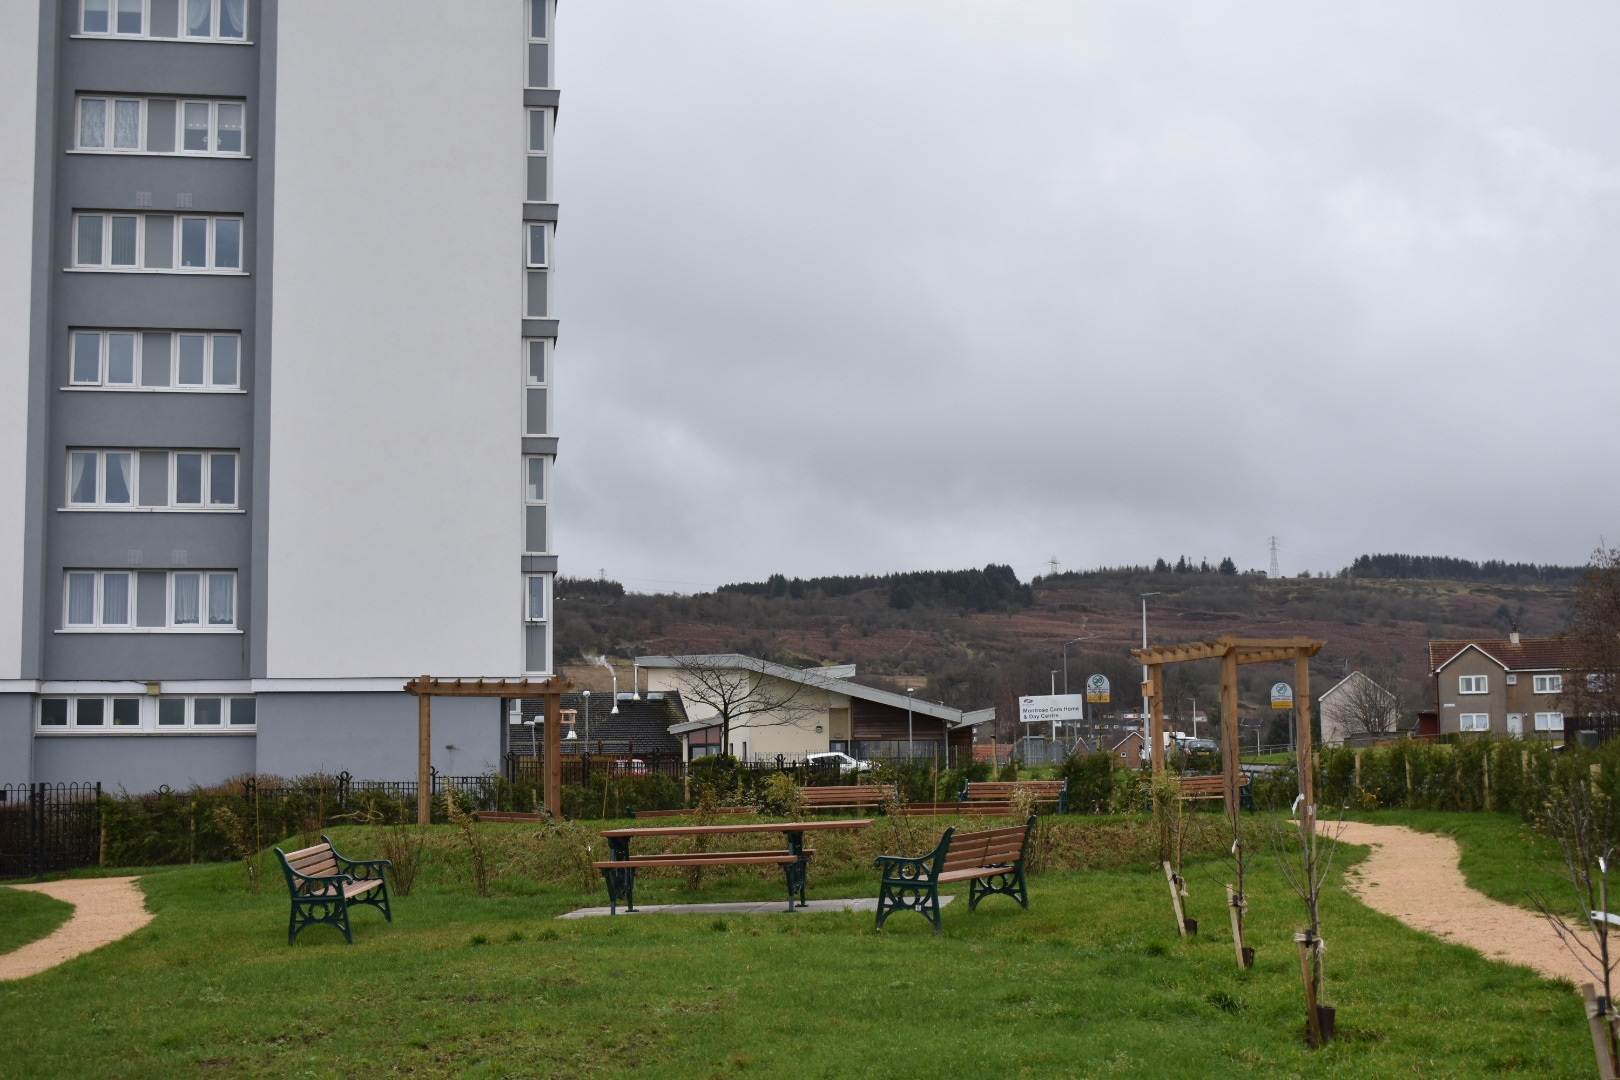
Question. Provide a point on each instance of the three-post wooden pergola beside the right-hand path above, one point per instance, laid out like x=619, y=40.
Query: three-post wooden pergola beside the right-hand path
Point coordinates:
x=1232, y=655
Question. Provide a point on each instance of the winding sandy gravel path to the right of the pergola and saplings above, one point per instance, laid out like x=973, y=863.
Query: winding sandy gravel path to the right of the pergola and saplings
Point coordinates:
x=1415, y=877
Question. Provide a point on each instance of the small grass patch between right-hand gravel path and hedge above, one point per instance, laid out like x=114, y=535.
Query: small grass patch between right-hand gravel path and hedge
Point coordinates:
x=1501, y=854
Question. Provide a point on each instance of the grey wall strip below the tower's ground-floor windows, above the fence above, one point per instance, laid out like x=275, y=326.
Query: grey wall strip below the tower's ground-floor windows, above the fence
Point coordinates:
x=142, y=763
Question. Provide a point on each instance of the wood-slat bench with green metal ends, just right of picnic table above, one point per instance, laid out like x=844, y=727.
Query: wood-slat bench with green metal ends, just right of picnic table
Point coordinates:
x=991, y=861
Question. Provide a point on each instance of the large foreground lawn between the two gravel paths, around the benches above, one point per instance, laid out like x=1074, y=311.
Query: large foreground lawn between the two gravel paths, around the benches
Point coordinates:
x=1093, y=980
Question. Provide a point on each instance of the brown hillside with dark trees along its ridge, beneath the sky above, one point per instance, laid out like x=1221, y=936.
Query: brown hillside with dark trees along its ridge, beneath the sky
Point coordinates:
x=984, y=637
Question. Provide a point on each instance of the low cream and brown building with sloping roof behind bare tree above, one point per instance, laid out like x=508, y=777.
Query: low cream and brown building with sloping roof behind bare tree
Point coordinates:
x=787, y=712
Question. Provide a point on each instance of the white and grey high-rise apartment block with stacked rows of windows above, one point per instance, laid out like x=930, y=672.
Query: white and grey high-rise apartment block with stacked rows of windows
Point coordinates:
x=276, y=365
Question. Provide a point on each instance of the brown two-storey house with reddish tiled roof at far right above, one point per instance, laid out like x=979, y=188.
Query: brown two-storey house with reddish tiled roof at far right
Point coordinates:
x=1503, y=686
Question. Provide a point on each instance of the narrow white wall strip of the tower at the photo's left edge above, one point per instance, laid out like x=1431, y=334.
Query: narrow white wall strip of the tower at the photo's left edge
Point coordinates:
x=19, y=100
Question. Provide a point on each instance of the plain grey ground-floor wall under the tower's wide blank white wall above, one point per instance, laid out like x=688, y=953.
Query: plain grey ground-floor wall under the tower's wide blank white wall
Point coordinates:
x=375, y=734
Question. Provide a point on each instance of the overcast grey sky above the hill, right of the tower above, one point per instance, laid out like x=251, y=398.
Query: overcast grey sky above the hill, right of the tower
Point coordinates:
x=864, y=287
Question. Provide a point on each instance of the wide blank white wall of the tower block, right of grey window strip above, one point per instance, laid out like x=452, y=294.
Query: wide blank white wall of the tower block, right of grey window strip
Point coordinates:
x=394, y=495
